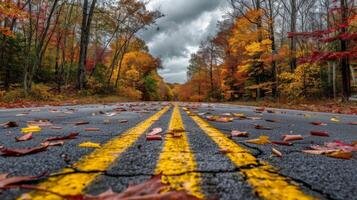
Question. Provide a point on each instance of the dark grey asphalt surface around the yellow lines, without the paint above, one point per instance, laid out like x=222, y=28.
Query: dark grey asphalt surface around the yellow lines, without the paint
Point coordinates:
x=316, y=176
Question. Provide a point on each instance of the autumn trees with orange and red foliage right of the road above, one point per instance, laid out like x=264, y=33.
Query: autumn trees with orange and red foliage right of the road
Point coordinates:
x=277, y=49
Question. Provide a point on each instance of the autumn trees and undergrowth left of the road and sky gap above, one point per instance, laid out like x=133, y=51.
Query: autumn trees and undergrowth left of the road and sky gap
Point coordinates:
x=62, y=47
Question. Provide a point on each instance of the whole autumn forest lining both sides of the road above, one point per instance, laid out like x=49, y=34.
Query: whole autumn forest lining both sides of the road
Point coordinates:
x=264, y=49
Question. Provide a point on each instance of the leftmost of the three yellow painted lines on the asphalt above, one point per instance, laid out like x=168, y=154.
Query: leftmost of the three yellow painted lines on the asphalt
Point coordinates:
x=98, y=160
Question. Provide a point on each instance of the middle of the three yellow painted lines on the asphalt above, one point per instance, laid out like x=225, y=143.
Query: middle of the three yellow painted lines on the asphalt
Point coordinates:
x=176, y=162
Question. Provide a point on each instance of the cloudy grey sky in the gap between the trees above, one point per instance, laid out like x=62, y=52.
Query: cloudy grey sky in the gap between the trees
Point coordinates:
x=186, y=23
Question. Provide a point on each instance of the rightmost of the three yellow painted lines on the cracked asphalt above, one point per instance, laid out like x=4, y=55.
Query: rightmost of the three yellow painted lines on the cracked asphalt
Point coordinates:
x=264, y=179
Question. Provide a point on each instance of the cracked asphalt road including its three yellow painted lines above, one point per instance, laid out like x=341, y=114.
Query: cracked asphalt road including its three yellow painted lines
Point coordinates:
x=196, y=154
